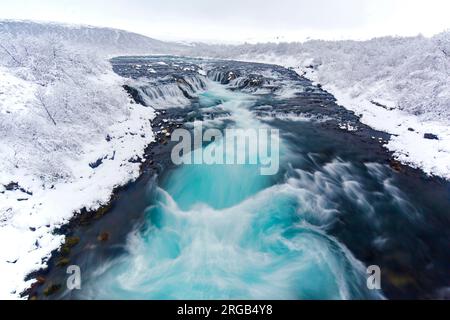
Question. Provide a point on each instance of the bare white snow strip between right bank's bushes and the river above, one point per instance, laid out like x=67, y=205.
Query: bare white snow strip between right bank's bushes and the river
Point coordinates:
x=410, y=140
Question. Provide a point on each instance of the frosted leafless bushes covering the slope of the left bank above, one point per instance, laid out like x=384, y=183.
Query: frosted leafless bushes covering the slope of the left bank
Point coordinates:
x=74, y=100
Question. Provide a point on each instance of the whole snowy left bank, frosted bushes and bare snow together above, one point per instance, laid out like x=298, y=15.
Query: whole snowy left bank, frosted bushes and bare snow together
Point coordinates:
x=62, y=108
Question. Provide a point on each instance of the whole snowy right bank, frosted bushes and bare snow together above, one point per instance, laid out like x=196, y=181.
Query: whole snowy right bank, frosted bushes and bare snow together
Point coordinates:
x=397, y=85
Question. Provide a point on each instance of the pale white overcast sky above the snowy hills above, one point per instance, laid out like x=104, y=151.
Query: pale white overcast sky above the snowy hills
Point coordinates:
x=244, y=20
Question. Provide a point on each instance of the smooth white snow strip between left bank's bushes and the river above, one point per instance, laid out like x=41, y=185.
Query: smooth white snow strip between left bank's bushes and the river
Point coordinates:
x=27, y=220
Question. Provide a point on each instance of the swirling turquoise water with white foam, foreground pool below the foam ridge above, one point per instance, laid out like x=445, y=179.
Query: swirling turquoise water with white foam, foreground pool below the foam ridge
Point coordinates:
x=259, y=249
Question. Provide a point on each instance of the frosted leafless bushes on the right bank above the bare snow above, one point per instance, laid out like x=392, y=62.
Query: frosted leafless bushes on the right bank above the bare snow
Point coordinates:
x=410, y=74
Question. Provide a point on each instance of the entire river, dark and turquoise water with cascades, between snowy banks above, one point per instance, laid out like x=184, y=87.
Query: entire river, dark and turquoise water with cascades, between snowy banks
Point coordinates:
x=225, y=231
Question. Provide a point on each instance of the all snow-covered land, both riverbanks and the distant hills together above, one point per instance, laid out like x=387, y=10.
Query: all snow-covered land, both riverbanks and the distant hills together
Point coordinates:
x=62, y=108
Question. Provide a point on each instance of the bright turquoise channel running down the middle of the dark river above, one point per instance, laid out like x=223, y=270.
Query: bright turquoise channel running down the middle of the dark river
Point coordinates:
x=228, y=232
